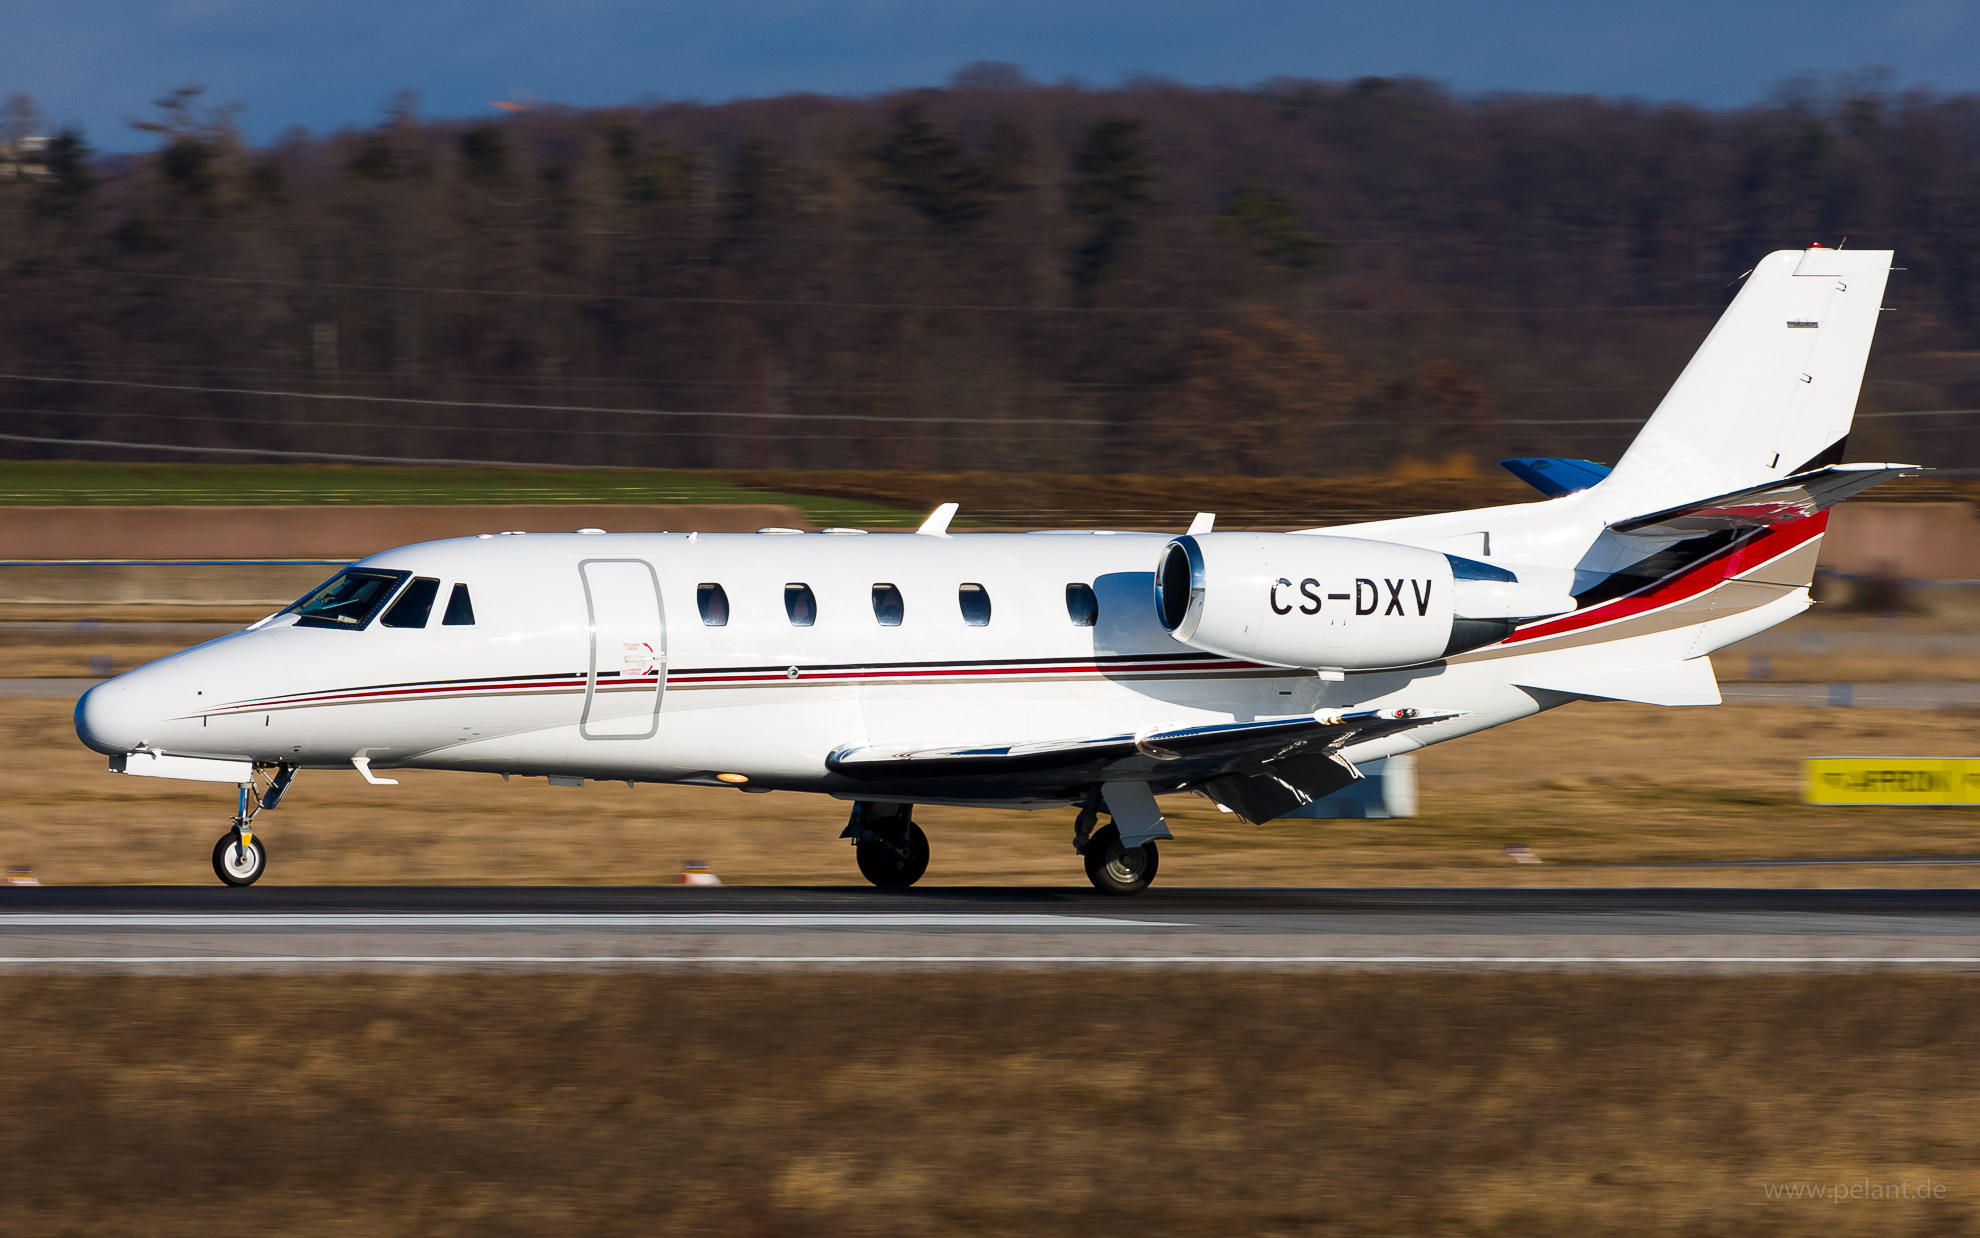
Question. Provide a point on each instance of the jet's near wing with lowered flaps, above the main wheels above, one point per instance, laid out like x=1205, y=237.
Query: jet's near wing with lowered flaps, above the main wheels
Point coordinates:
x=1298, y=754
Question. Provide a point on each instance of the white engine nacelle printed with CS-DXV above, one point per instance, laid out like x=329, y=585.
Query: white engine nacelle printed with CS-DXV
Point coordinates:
x=1336, y=603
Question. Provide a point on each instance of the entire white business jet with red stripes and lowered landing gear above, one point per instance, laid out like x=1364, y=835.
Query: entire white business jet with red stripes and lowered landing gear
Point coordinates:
x=1090, y=672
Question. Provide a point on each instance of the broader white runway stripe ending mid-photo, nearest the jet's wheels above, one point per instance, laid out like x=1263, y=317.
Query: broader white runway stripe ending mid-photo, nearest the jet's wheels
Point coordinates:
x=579, y=920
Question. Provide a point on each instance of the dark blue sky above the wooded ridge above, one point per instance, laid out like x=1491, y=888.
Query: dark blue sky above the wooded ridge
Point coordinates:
x=326, y=64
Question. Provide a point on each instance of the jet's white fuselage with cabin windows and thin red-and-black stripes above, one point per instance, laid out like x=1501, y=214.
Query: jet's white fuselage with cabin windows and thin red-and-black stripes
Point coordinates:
x=575, y=669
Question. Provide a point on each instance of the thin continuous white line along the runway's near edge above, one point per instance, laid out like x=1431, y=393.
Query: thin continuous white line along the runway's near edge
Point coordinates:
x=720, y=962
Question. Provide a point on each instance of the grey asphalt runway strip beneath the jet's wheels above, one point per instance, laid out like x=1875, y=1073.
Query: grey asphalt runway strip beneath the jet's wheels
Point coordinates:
x=179, y=930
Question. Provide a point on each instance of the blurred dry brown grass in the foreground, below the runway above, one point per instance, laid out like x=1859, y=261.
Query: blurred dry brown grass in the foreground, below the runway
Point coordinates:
x=985, y=1104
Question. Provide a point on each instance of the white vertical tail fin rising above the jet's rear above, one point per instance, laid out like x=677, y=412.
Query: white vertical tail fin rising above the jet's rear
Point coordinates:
x=1769, y=393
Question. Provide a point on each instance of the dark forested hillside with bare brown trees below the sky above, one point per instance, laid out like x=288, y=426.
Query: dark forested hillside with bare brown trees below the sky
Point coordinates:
x=1304, y=278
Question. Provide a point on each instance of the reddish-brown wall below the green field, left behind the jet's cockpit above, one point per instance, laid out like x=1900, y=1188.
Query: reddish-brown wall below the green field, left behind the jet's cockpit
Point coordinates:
x=336, y=532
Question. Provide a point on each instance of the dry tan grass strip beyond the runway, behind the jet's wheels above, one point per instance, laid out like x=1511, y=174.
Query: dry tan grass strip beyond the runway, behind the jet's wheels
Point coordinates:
x=1587, y=787
